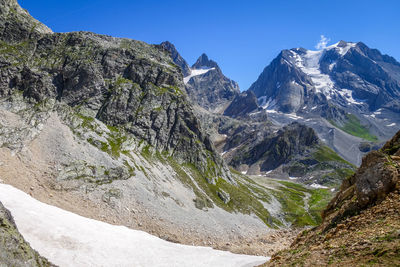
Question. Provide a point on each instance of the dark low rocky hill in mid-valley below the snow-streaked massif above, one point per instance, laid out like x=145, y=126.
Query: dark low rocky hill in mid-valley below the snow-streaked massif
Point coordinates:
x=294, y=152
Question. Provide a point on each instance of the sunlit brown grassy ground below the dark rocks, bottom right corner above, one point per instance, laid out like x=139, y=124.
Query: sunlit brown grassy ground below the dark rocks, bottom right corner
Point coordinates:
x=371, y=238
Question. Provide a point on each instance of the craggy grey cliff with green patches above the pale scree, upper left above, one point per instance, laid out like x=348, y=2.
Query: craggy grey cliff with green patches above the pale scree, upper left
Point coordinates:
x=121, y=82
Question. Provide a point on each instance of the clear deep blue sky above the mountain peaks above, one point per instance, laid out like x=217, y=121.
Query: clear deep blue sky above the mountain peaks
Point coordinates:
x=242, y=36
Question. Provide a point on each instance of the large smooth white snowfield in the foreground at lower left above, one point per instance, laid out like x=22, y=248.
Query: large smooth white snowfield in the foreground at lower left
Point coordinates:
x=67, y=239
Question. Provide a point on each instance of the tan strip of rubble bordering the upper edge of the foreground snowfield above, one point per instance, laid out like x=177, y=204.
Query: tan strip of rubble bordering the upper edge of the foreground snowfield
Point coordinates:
x=42, y=188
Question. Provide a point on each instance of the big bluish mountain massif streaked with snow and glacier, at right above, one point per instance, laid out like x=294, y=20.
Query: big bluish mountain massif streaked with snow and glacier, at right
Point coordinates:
x=347, y=92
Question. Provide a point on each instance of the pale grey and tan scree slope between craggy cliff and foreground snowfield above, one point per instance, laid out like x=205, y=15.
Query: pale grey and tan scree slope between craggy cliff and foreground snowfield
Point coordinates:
x=33, y=168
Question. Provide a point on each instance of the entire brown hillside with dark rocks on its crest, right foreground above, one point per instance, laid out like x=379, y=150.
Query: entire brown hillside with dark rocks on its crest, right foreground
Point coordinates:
x=361, y=225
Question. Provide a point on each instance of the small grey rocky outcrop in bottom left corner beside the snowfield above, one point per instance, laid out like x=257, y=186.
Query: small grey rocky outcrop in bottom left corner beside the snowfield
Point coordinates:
x=14, y=250
